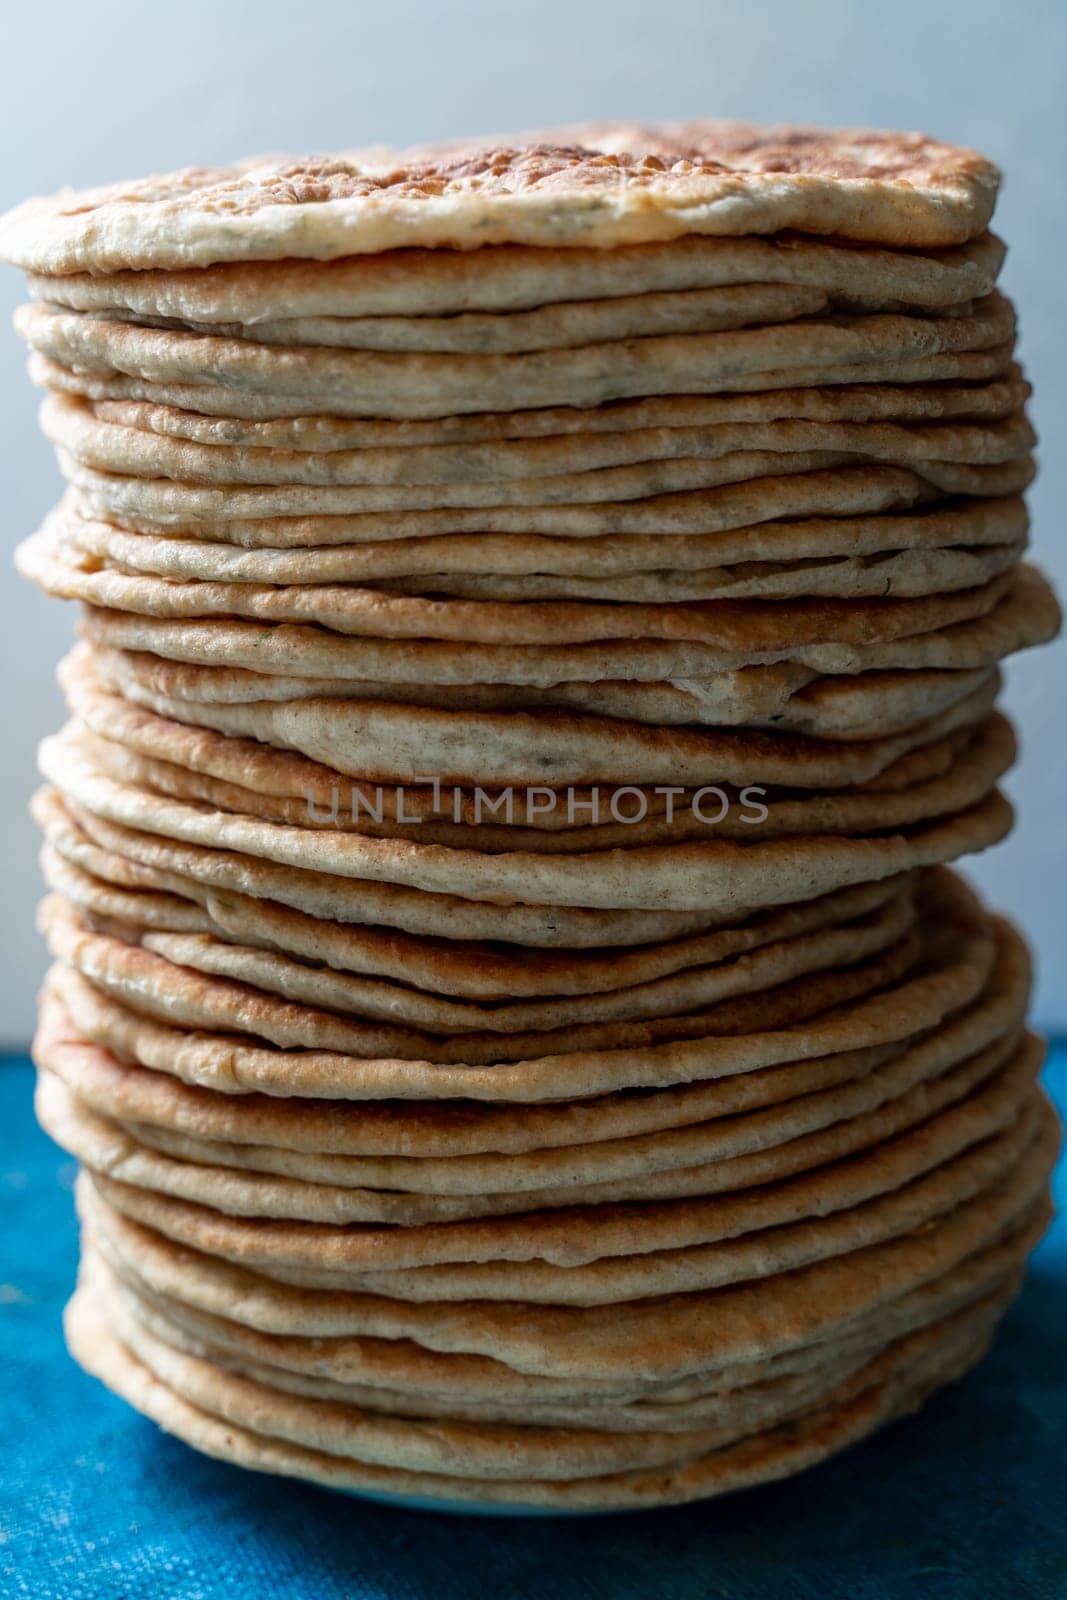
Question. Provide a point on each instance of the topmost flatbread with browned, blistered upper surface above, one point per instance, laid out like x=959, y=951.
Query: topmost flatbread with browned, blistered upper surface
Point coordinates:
x=597, y=185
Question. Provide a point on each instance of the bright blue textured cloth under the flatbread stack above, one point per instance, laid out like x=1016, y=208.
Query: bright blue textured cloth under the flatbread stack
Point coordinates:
x=967, y=1500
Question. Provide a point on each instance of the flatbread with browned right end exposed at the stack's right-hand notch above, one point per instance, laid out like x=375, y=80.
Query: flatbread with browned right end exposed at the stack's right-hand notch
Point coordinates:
x=961, y=951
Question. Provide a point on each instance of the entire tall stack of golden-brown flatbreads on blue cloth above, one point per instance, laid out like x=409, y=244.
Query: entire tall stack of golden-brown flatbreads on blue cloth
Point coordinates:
x=541, y=612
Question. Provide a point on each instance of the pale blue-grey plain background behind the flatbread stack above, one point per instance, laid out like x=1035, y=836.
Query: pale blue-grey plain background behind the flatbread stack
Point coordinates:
x=100, y=92
